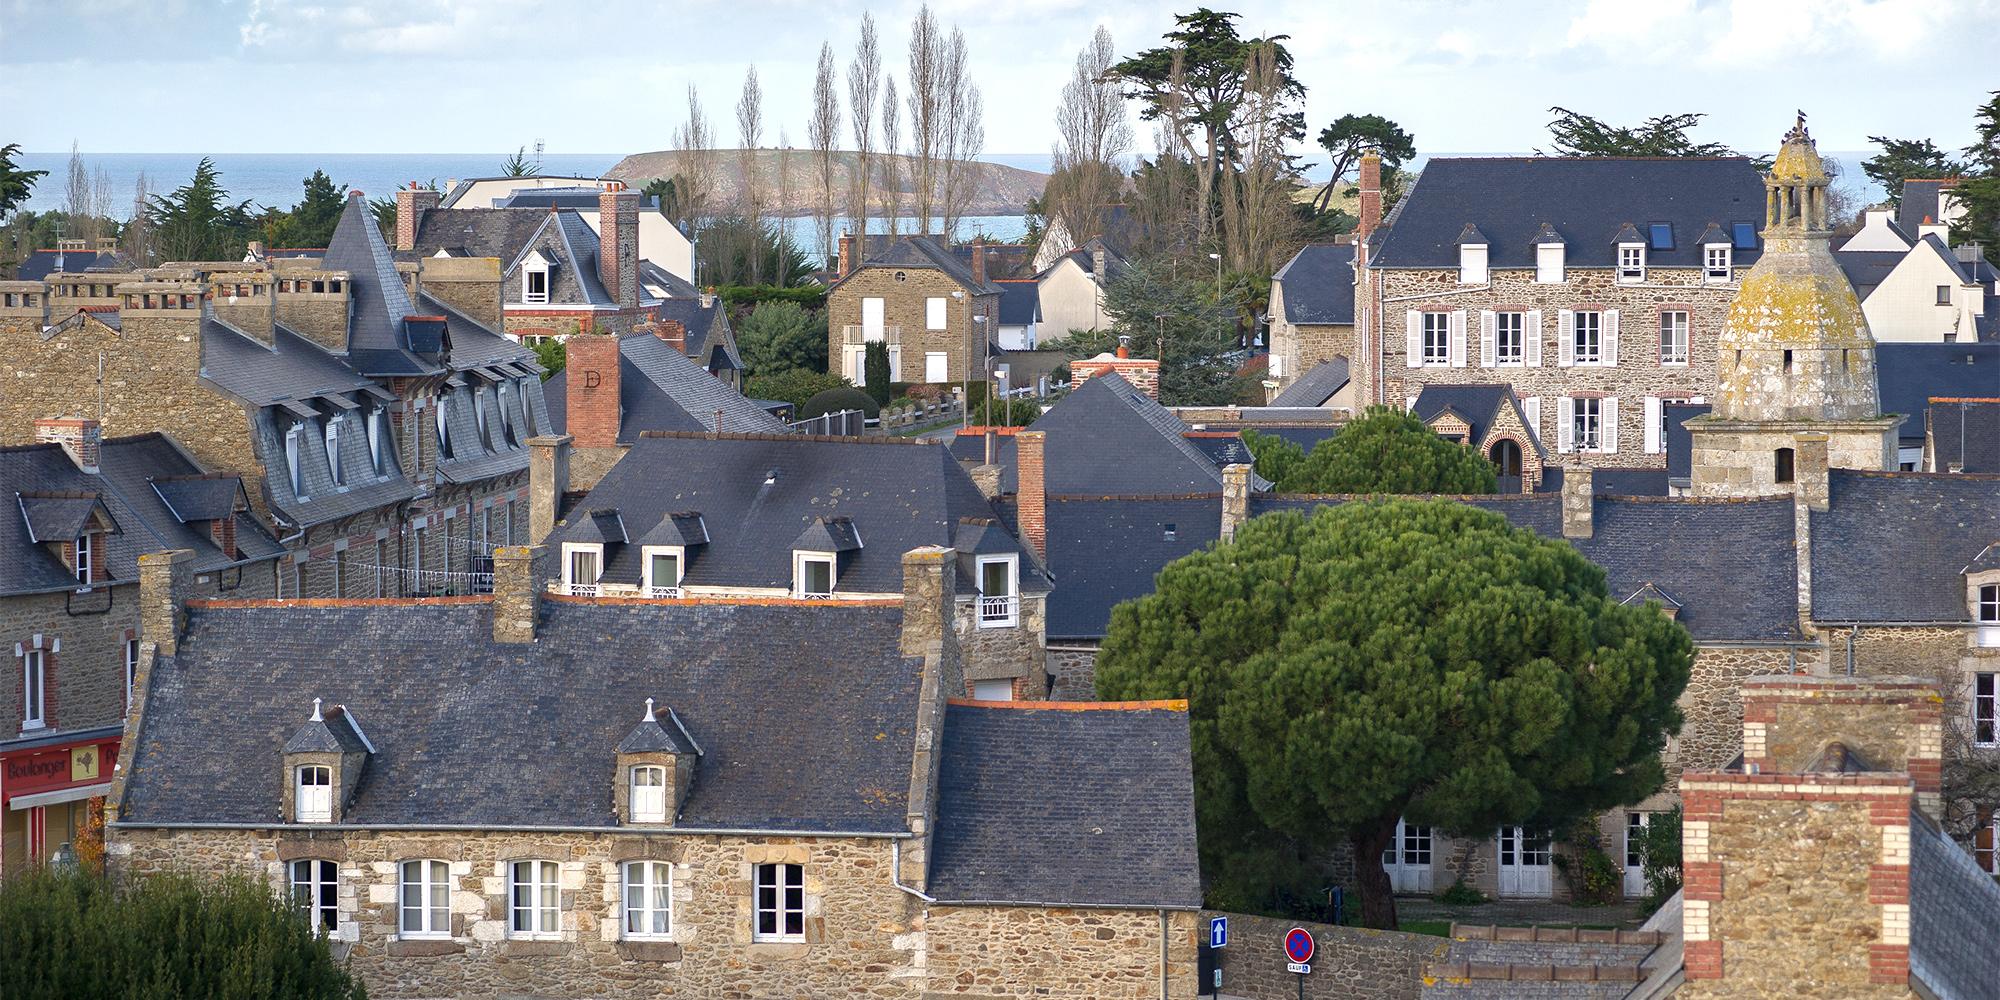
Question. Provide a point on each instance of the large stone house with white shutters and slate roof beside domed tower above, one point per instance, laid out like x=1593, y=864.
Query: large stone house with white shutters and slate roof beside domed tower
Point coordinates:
x=1595, y=287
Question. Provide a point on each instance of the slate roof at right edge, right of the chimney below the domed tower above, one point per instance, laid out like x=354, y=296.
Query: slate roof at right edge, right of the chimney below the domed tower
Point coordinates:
x=1891, y=545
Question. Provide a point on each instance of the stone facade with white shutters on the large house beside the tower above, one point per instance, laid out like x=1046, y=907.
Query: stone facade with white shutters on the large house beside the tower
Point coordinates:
x=1637, y=375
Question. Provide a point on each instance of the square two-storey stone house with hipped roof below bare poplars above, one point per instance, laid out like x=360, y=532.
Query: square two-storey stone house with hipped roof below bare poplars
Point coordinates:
x=937, y=315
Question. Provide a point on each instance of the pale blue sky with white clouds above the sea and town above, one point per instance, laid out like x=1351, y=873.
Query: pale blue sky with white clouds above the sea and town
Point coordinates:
x=217, y=77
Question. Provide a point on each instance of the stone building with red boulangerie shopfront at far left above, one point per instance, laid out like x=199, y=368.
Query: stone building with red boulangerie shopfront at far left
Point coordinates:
x=83, y=511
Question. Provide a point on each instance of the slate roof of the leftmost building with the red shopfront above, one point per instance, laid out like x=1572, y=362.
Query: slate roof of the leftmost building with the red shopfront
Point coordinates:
x=127, y=469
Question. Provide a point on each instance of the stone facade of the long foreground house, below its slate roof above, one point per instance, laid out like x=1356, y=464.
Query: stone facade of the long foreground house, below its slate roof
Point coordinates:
x=863, y=935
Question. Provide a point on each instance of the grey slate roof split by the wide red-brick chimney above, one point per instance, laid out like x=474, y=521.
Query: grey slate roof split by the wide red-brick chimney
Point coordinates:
x=661, y=389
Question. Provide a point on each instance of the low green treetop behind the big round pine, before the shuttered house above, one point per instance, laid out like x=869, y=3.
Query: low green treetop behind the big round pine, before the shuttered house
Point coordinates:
x=1387, y=451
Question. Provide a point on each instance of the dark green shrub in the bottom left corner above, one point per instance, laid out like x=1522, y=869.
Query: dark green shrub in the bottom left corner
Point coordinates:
x=71, y=935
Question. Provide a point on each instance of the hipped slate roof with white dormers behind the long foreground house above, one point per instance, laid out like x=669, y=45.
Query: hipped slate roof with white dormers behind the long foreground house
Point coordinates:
x=899, y=497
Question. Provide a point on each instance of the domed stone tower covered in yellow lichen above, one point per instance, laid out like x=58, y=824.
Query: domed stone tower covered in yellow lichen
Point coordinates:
x=1795, y=355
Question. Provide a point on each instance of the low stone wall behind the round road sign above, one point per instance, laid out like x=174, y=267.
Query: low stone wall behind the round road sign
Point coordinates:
x=1347, y=965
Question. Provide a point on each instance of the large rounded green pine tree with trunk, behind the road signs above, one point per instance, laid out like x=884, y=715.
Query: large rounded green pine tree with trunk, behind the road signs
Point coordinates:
x=1395, y=659
